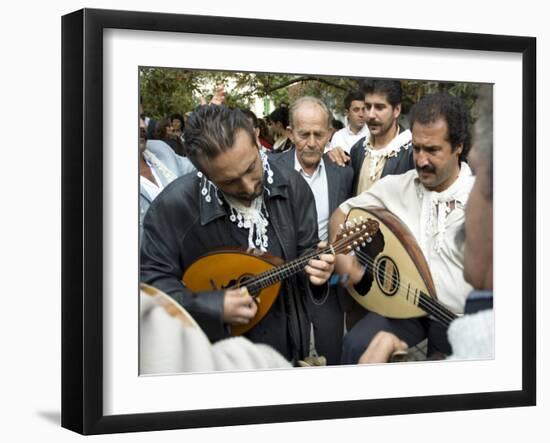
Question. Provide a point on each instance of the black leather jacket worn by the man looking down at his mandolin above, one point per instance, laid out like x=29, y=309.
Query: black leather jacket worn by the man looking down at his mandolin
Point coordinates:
x=181, y=226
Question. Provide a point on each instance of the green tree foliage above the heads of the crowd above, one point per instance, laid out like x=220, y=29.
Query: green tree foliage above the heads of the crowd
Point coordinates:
x=167, y=90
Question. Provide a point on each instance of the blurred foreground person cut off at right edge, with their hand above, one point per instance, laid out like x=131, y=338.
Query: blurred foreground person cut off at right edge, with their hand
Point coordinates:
x=472, y=335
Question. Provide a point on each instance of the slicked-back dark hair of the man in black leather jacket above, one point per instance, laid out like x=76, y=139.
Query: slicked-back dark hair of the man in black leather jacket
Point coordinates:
x=211, y=129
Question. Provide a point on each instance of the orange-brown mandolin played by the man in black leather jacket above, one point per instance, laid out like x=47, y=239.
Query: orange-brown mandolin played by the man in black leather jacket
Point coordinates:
x=262, y=273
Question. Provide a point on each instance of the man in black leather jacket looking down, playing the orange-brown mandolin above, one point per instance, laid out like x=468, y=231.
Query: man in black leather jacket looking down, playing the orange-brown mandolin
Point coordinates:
x=238, y=198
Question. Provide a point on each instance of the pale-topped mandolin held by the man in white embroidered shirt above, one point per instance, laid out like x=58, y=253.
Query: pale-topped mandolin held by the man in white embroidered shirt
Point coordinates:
x=397, y=282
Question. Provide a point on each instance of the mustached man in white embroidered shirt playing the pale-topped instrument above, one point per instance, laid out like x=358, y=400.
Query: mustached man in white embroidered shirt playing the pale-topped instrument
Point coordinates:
x=430, y=201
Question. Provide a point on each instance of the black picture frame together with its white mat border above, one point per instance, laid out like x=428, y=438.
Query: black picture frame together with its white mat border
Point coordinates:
x=105, y=54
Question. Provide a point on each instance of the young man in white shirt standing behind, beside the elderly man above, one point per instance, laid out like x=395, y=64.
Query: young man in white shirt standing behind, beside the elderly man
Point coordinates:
x=356, y=128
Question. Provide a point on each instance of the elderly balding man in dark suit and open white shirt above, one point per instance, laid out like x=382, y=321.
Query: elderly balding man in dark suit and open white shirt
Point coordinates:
x=310, y=122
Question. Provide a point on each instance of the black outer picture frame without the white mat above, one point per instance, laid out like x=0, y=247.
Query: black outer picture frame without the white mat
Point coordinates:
x=82, y=218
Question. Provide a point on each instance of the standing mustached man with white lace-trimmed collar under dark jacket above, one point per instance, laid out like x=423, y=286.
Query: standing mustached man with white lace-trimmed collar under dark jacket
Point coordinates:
x=386, y=149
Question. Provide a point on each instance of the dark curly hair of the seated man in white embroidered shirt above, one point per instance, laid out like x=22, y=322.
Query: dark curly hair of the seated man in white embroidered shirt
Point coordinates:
x=433, y=107
